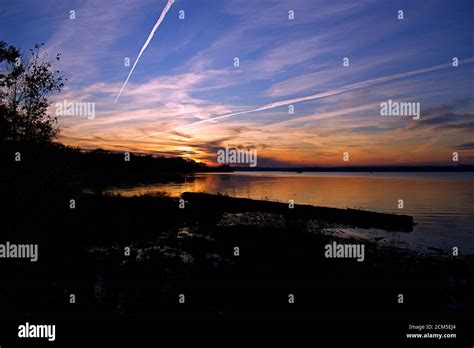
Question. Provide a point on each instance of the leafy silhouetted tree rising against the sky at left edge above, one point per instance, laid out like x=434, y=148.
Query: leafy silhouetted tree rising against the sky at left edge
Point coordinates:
x=26, y=82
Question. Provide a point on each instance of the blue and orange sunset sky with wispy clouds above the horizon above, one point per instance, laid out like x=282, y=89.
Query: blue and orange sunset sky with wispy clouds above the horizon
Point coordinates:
x=187, y=75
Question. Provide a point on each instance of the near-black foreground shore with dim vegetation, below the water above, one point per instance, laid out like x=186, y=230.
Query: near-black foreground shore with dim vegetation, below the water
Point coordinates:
x=191, y=251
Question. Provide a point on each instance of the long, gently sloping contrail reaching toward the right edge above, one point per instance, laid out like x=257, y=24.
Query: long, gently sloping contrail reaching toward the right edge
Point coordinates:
x=325, y=94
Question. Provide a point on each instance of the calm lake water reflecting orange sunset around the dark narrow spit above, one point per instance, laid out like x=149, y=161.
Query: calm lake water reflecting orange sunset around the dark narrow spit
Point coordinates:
x=442, y=203
